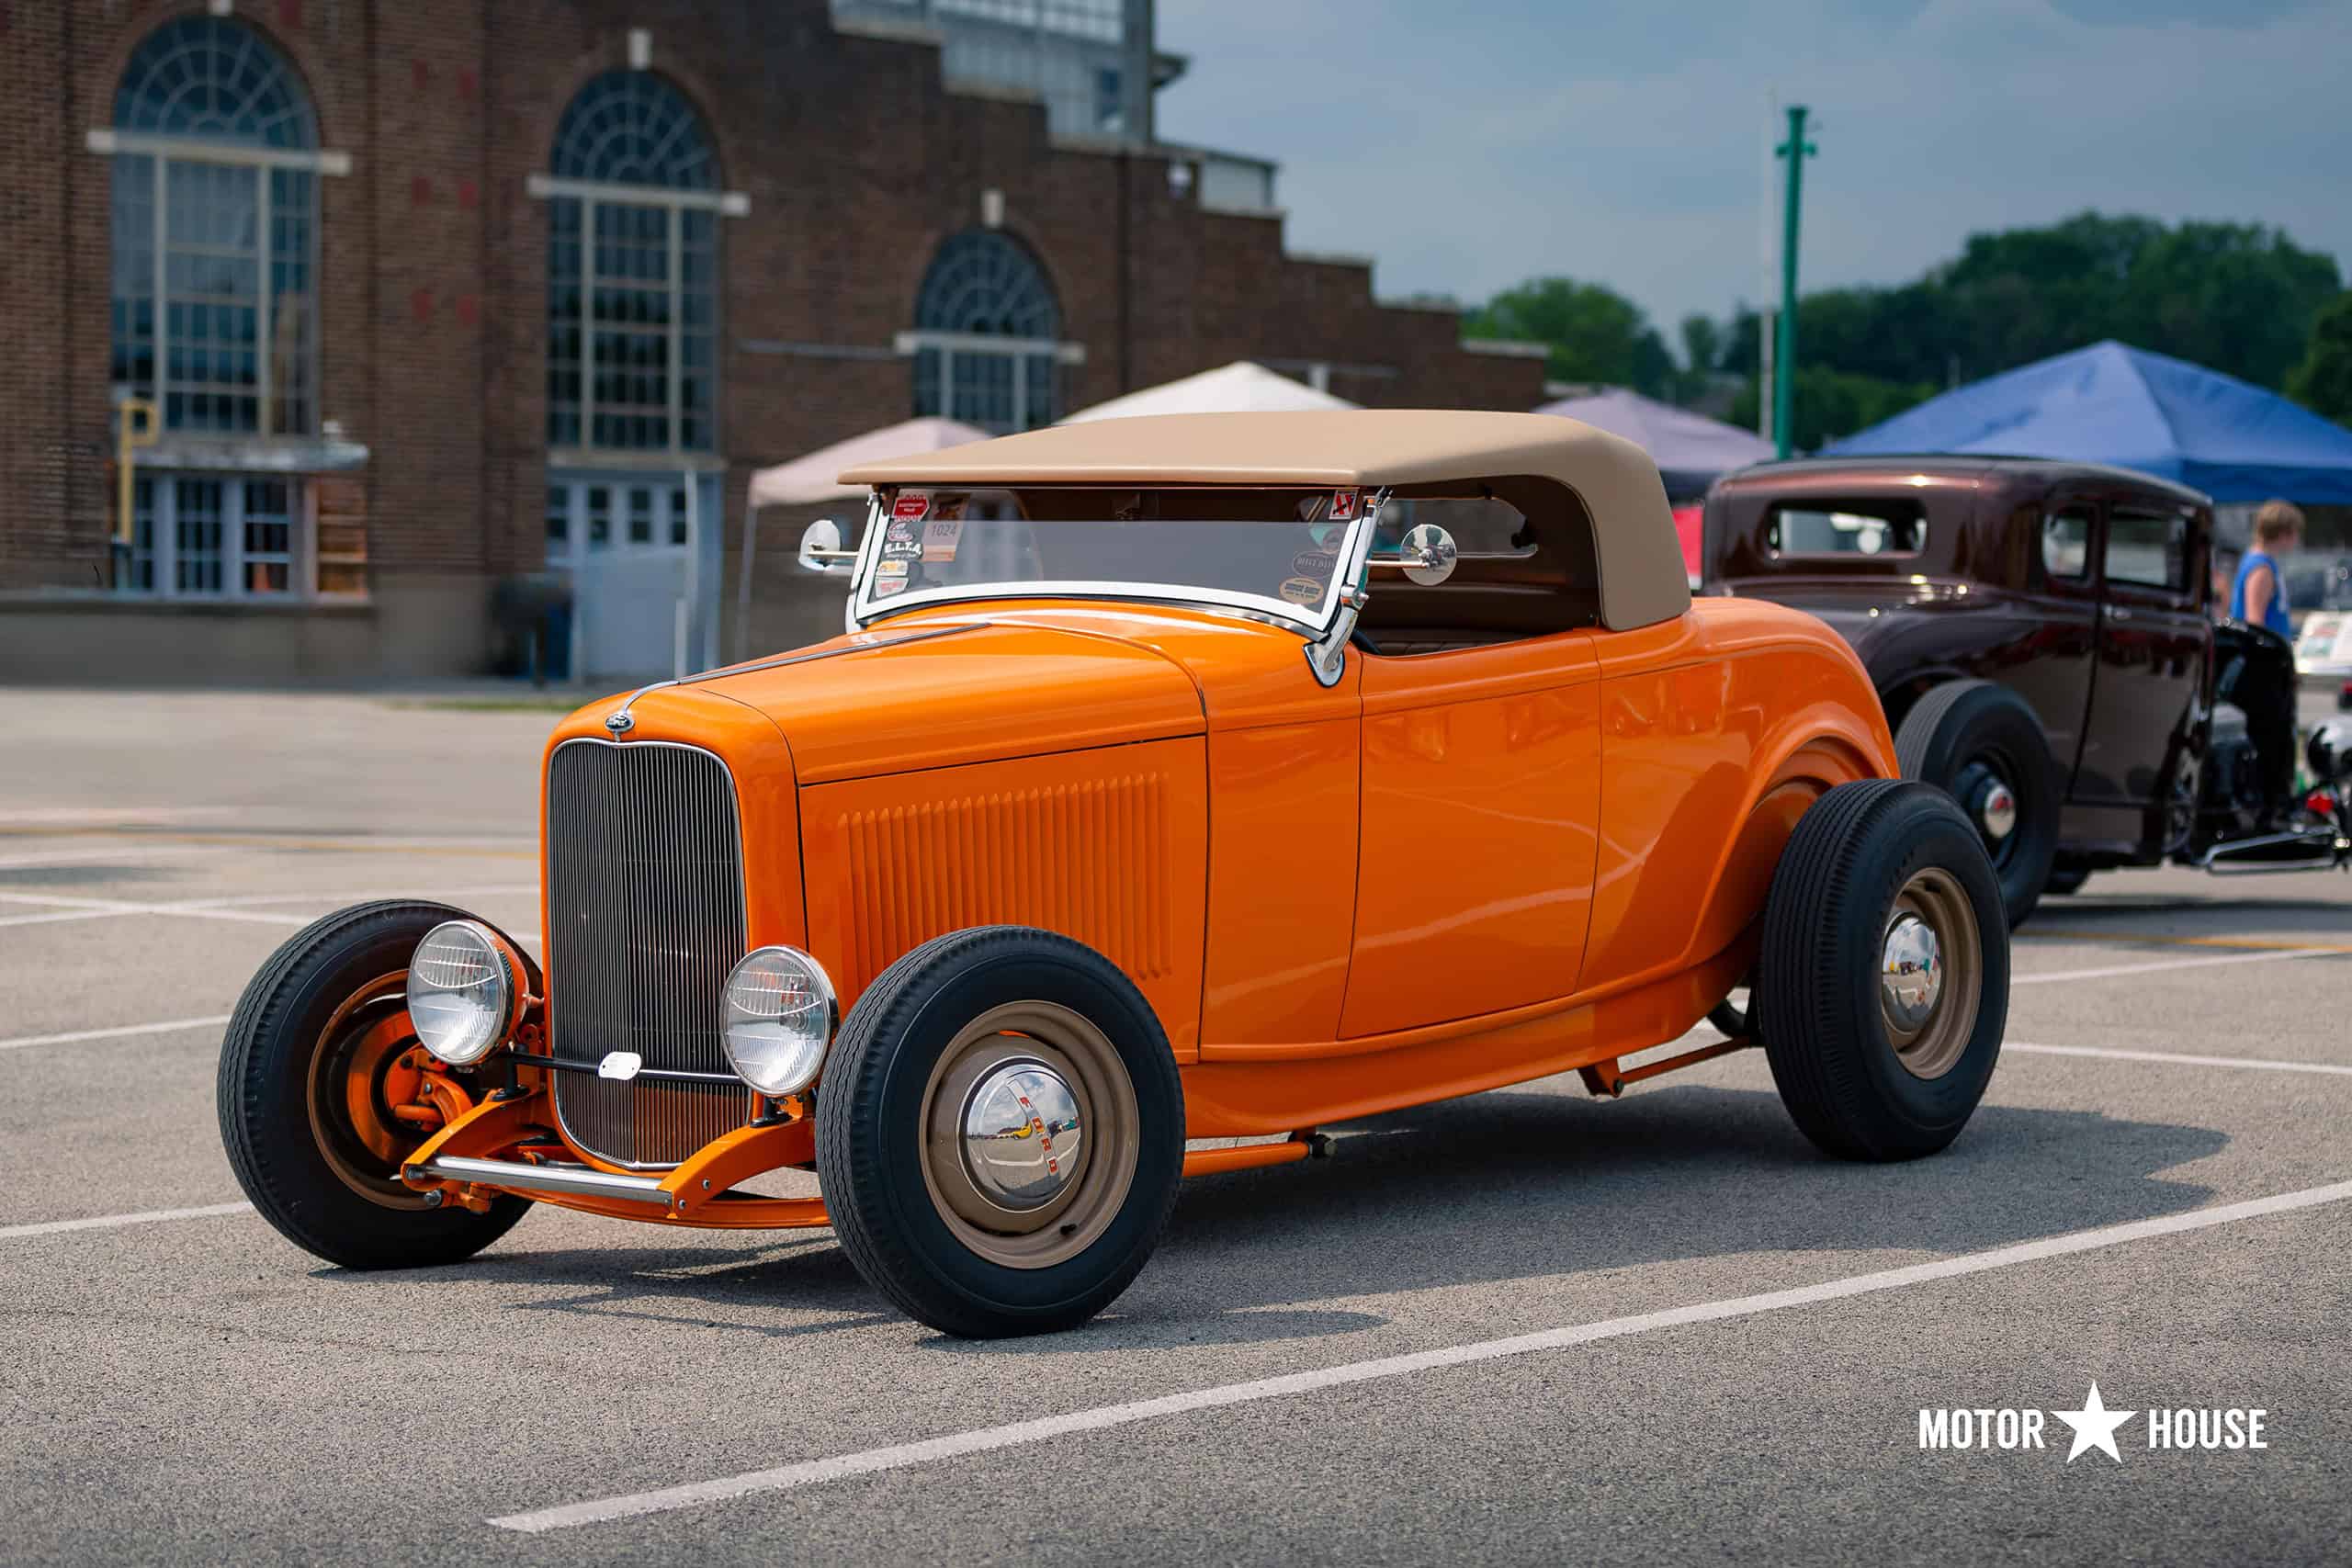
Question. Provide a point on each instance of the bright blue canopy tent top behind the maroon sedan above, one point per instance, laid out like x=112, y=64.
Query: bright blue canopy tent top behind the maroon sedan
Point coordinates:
x=2137, y=410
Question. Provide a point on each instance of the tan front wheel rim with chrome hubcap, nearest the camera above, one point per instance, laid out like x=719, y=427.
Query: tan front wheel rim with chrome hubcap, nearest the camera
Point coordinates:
x=1029, y=1134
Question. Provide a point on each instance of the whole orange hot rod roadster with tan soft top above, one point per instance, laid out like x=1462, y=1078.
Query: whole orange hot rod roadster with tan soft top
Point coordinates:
x=1177, y=779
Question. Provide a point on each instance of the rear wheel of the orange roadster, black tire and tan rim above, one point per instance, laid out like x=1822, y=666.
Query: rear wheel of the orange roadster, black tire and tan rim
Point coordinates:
x=1876, y=1054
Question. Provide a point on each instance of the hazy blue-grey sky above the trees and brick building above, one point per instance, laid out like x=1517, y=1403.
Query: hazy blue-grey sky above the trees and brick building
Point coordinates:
x=1476, y=142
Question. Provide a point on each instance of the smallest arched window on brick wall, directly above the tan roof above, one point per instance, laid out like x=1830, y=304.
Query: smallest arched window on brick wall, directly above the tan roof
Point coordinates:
x=987, y=335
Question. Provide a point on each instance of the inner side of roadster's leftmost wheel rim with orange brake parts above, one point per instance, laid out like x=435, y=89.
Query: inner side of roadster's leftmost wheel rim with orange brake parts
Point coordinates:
x=359, y=1073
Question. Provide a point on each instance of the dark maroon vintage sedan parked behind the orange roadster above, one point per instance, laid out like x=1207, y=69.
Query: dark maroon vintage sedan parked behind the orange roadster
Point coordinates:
x=2045, y=648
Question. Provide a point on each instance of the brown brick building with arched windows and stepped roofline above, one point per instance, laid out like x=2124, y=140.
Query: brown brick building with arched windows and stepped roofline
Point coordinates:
x=425, y=295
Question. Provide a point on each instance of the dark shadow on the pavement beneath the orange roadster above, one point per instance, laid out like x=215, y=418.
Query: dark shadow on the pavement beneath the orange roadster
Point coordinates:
x=1506, y=1186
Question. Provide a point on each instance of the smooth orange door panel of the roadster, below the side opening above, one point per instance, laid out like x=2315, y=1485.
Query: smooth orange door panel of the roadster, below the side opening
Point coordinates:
x=1481, y=812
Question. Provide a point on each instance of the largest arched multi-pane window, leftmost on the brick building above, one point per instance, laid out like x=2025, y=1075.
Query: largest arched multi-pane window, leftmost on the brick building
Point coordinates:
x=215, y=234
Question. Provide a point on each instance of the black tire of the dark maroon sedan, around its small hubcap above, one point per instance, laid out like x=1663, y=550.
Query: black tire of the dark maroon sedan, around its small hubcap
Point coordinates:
x=1967, y=737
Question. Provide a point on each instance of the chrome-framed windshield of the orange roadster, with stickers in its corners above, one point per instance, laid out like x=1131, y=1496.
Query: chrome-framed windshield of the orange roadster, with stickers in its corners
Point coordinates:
x=1257, y=549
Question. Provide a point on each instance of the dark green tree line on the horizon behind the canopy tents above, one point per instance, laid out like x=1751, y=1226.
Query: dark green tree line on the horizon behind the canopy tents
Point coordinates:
x=2233, y=297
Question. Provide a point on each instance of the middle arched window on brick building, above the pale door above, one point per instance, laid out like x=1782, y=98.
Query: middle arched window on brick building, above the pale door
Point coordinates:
x=634, y=272
